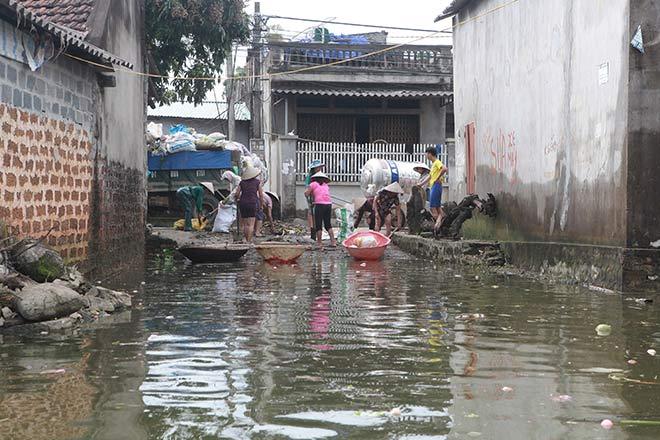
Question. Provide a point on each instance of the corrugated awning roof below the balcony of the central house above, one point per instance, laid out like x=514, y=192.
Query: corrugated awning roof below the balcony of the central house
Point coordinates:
x=360, y=92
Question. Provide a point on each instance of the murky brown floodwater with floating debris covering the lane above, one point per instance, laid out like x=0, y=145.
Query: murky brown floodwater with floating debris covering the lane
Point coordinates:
x=337, y=349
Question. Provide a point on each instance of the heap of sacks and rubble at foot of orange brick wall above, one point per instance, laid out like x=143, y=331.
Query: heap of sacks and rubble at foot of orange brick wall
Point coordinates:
x=38, y=292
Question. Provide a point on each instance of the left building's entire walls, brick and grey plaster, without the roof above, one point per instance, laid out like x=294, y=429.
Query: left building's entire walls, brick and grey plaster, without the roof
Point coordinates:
x=73, y=153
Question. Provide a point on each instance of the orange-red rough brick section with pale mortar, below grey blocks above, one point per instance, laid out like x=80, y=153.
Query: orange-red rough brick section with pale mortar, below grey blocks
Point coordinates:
x=46, y=179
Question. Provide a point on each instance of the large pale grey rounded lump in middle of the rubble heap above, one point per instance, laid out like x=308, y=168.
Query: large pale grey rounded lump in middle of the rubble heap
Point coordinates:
x=42, y=302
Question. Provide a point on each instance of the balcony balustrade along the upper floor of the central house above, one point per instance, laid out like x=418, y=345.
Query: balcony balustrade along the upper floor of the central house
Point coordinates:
x=408, y=59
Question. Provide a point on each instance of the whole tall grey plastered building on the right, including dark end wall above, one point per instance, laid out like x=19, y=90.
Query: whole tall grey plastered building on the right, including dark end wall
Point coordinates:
x=557, y=115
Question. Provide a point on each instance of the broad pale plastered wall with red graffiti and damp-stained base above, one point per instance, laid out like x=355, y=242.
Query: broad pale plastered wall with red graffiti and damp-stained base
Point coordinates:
x=550, y=134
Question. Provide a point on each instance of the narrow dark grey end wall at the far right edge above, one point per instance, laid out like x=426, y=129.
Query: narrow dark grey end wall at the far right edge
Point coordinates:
x=644, y=127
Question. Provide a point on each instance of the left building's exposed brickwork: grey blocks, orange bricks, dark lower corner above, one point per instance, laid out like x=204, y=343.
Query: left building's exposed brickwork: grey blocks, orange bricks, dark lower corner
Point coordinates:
x=55, y=174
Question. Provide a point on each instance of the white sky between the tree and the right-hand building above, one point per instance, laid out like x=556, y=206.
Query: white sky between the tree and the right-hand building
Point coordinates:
x=408, y=13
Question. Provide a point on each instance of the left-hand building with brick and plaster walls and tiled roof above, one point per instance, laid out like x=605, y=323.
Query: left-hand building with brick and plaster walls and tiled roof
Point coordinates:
x=74, y=165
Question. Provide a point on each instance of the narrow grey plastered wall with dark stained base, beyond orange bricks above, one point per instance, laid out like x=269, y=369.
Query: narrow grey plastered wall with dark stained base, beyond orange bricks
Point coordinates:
x=120, y=202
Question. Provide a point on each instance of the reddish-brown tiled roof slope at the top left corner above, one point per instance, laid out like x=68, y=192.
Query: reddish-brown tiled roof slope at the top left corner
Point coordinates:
x=72, y=14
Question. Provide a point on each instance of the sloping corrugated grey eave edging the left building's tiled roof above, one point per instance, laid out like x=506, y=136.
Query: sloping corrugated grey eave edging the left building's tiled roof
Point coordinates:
x=67, y=36
